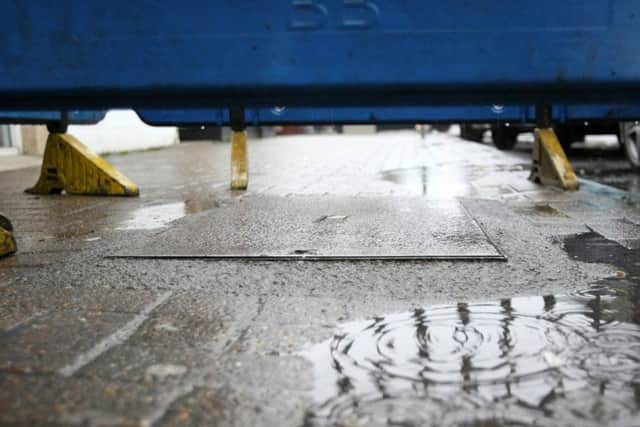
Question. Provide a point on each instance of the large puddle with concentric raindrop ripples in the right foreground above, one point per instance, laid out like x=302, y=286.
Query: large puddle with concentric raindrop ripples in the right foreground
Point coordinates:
x=550, y=360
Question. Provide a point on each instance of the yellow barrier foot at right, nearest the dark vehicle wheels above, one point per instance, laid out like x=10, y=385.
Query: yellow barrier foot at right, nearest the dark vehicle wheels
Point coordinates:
x=550, y=164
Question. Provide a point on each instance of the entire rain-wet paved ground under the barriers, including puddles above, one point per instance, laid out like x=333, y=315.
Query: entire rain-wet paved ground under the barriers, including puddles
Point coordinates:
x=551, y=336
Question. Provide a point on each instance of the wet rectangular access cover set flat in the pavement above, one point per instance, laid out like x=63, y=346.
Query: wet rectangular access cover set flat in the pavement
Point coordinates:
x=323, y=228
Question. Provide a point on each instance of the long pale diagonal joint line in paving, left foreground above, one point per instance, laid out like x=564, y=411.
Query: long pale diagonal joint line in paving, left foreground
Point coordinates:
x=115, y=339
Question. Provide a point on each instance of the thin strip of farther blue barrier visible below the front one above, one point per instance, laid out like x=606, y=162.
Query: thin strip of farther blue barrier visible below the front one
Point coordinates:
x=341, y=115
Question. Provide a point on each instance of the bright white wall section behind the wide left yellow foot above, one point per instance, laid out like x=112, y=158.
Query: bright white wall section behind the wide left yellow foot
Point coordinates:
x=123, y=131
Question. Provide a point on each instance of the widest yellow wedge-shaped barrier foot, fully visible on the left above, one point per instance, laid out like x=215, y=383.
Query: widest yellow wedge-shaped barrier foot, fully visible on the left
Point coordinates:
x=70, y=166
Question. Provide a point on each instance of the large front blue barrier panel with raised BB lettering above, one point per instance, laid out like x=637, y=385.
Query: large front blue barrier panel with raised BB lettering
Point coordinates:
x=75, y=54
